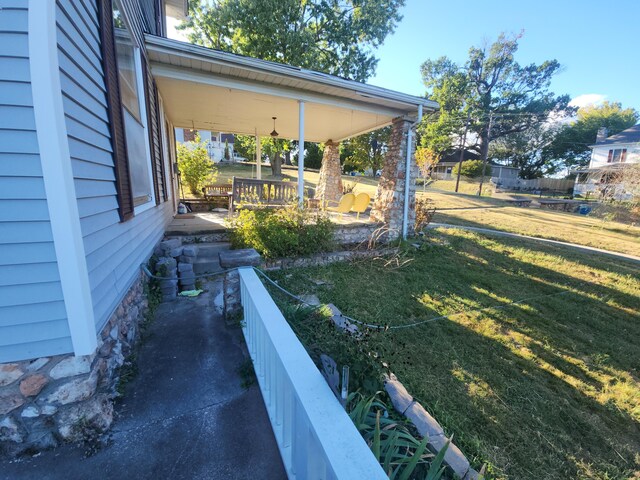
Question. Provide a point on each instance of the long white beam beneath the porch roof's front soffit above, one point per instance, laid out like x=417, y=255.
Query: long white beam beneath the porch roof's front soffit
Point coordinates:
x=191, y=75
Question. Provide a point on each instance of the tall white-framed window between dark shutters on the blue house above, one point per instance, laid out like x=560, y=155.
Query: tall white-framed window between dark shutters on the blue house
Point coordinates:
x=134, y=110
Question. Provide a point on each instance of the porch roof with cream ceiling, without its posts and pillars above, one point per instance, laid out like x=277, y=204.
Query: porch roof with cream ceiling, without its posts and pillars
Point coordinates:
x=213, y=90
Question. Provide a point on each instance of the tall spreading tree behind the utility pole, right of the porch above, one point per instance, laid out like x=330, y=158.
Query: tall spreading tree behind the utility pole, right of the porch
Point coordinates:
x=498, y=96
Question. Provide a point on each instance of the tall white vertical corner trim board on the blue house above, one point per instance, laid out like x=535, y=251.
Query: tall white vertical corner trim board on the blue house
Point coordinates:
x=58, y=175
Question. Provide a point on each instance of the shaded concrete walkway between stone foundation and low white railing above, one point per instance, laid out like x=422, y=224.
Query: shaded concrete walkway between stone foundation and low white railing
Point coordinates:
x=184, y=416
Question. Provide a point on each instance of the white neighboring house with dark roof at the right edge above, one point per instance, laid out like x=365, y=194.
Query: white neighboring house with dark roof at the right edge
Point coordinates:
x=609, y=155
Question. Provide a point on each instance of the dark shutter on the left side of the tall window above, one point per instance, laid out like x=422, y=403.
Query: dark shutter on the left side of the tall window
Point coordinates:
x=114, y=107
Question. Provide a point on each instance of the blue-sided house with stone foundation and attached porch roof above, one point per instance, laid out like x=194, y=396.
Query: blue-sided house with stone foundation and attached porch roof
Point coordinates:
x=91, y=93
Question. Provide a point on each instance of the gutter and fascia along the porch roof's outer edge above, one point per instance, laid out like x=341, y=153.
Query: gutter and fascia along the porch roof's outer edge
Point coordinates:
x=196, y=52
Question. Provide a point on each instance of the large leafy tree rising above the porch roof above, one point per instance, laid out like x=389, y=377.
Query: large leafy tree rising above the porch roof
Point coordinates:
x=332, y=36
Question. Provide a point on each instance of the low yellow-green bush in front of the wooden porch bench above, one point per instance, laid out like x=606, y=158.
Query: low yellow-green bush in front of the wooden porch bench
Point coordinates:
x=286, y=232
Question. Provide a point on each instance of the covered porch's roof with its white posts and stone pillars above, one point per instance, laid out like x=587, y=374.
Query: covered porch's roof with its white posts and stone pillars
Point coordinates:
x=207, y=89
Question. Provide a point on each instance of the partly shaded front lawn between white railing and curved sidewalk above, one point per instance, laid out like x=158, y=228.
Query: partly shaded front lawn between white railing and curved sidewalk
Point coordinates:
x=545, y=389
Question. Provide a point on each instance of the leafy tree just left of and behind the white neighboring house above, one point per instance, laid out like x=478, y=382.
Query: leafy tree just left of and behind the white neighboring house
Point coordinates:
x=570, y=147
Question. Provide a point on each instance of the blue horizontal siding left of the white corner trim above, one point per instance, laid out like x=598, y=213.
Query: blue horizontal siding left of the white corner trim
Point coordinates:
x=33, y=320
